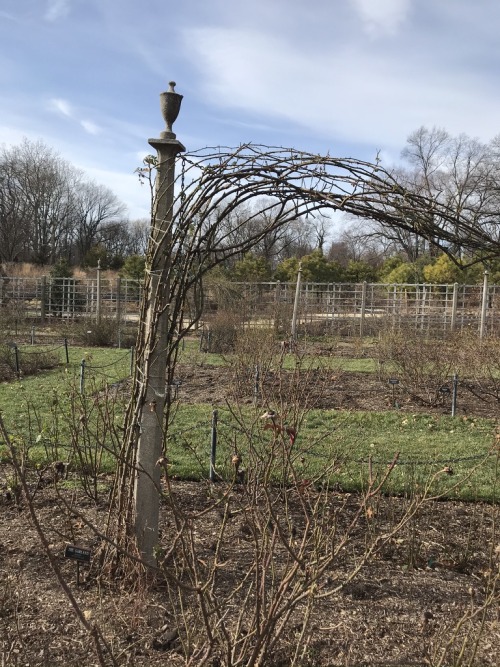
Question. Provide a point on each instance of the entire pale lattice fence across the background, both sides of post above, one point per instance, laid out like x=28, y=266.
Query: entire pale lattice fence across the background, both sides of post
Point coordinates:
x=360, y=309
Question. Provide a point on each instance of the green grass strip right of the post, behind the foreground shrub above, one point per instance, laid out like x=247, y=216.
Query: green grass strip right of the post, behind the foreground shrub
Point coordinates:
x=426, y=445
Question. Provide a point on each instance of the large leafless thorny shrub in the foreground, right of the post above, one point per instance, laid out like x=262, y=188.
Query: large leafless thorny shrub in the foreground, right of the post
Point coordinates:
x=282, y=546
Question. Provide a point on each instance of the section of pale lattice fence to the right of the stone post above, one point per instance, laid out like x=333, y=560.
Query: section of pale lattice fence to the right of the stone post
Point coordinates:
x=362, y=309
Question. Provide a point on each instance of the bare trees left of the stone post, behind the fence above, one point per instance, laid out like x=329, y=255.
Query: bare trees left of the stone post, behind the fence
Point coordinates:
x=50, y=212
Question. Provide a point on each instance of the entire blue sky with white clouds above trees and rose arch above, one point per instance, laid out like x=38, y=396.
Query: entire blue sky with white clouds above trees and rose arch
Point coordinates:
x=352, y=78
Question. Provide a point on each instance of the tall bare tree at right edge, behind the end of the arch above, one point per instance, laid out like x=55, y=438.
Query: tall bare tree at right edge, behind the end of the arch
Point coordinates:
x=459, y=173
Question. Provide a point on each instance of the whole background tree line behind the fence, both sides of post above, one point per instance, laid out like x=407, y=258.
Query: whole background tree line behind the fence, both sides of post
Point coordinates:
x=50, y=212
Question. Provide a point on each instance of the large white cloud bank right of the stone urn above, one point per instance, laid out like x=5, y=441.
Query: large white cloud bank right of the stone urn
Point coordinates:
x=349, y=92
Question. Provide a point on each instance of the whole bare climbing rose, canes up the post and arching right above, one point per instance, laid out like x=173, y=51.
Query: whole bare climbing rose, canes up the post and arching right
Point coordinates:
x=221, y=195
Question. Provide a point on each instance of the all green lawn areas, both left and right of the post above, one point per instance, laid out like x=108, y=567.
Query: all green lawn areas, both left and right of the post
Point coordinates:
x=331, y=446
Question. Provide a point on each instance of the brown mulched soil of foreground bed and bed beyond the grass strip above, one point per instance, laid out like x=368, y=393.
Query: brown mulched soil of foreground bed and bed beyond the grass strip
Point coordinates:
x=420, y=597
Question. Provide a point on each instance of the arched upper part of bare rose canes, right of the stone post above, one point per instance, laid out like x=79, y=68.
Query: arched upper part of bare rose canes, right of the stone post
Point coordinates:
x=211, y=221
